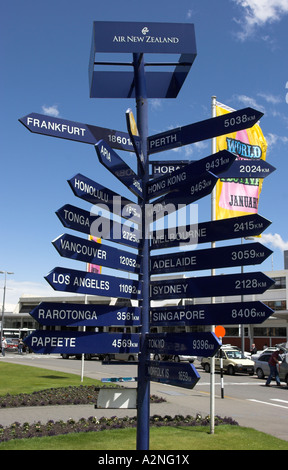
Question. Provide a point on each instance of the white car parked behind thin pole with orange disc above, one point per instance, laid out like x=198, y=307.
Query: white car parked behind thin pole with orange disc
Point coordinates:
x=233, y=361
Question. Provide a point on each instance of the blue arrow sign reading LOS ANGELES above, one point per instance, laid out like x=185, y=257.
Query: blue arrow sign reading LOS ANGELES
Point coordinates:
x=81, y=282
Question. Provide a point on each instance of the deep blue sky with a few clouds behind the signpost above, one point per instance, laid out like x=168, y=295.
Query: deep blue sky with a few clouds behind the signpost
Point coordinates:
x=45, y=46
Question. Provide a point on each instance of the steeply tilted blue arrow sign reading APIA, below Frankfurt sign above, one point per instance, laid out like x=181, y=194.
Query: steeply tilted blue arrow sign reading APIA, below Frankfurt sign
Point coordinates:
x=119, y=168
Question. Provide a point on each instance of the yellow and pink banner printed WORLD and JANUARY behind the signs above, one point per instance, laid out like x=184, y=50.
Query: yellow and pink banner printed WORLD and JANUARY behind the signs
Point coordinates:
x=239, y=196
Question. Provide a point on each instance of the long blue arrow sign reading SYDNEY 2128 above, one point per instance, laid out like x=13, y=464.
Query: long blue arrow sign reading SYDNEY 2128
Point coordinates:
x=210, y=286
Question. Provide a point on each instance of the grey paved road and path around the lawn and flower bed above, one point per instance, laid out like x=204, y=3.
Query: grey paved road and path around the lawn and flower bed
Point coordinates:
x=246, y=399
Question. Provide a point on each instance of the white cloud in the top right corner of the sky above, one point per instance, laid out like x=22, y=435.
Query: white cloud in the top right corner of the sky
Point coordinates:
x=257, y=13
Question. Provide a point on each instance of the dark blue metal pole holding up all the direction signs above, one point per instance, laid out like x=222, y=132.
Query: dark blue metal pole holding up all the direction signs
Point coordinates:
x=143, y=410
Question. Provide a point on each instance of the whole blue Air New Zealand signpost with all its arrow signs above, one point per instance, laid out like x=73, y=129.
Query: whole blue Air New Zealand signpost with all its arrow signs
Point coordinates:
x=189, y=183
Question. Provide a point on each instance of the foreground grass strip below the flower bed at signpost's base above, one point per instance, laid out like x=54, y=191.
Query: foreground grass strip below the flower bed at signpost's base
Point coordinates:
x=165, y=438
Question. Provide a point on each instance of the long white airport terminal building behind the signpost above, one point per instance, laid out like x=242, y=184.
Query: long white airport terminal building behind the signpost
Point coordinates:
x=272, y=331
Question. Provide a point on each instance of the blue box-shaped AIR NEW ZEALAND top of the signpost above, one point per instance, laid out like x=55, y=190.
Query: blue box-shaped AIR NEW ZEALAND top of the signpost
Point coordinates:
x=140, y=38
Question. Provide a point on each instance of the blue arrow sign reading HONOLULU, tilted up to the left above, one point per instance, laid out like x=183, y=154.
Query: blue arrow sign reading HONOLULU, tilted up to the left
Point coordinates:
x=95, y=193
